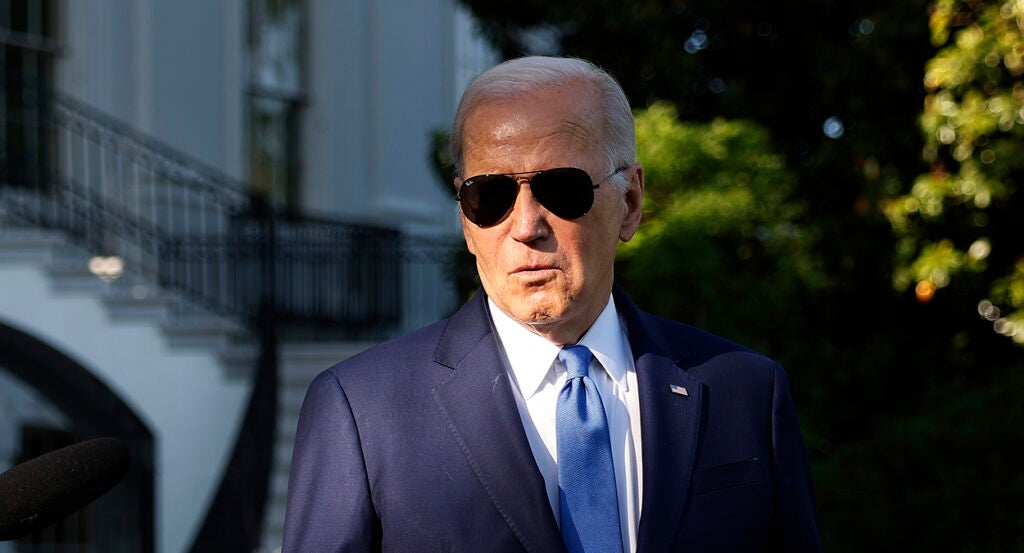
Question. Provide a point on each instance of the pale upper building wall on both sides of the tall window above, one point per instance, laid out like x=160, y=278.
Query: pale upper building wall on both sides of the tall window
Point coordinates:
x=381, y=76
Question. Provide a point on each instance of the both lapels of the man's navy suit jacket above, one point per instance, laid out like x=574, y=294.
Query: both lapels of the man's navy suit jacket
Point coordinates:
x=478, y=404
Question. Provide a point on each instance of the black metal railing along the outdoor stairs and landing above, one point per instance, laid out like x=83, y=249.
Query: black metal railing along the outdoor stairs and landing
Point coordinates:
x=187, y=228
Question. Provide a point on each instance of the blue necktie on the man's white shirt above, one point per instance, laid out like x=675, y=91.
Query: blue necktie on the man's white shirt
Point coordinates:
x=587, y=496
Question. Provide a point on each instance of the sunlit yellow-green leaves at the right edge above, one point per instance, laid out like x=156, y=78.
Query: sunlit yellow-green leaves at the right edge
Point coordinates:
x=965, y=216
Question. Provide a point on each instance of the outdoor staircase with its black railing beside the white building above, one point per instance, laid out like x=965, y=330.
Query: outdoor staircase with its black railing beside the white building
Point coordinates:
x=169, y=244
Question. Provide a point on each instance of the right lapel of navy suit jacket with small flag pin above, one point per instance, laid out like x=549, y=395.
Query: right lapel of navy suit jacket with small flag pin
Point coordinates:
x=670, y=422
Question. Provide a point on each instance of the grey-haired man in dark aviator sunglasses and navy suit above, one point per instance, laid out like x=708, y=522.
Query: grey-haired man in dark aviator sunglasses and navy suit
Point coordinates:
x=492, y=432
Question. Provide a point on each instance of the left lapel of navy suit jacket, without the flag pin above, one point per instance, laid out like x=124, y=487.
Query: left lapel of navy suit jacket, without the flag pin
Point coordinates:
x=478, y=404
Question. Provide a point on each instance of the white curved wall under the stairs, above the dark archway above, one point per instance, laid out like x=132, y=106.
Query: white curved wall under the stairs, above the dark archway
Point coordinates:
x=193, y=408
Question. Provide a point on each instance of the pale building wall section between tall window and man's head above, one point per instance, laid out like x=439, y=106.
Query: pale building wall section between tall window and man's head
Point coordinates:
x=383, y=75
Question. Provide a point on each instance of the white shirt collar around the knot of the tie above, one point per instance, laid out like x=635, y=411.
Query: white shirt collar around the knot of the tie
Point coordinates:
x=531, y=357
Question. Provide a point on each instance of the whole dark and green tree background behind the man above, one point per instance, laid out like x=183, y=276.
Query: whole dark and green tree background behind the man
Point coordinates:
x=836, y=185
